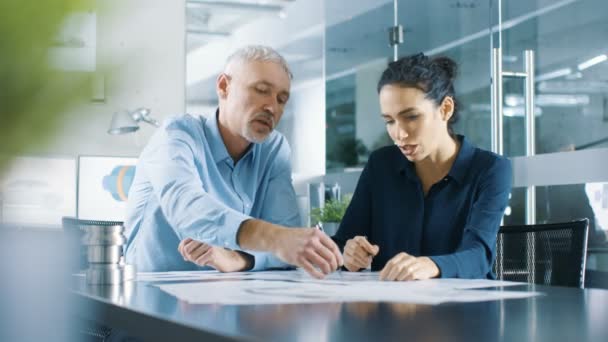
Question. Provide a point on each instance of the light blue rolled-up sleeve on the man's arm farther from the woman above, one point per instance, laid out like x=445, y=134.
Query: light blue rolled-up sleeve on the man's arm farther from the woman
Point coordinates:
x=170, y=166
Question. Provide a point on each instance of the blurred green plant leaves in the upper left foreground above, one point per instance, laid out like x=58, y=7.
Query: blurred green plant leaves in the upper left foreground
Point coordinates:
x=33, y=97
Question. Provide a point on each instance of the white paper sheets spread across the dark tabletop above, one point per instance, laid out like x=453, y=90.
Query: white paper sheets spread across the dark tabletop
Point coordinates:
x=286, y=287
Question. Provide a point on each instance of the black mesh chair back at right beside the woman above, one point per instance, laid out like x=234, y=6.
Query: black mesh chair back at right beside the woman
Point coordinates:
x=545, y=254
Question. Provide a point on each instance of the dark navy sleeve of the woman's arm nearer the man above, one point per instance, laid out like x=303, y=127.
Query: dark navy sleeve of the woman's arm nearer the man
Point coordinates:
x=357, y=219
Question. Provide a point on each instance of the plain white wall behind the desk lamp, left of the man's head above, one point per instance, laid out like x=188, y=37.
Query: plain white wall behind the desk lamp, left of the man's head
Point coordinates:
x=144, y=40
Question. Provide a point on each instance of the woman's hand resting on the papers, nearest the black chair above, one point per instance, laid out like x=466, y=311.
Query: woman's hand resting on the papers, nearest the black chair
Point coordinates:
x=407, y=267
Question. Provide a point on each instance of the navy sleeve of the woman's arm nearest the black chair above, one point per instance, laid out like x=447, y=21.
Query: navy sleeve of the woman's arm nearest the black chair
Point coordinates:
x=475, y=254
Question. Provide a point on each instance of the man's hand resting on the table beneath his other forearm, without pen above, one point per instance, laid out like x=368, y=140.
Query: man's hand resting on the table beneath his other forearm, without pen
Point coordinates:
x=222, y=259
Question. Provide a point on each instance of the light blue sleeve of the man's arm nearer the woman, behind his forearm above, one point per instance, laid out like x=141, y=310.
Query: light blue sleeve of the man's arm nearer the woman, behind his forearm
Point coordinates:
x=279, y=206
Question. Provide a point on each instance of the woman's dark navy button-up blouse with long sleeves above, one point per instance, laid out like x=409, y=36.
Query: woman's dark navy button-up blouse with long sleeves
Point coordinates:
x=455, y=224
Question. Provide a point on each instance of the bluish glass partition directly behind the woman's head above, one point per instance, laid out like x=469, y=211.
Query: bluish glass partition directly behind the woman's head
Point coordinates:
x=358, y=49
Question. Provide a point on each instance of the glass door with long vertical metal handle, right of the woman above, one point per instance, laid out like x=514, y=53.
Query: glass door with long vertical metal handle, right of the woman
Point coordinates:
x=550, y=109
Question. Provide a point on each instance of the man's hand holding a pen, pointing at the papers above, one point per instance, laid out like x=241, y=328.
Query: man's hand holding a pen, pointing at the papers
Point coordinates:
x=310, y=249
